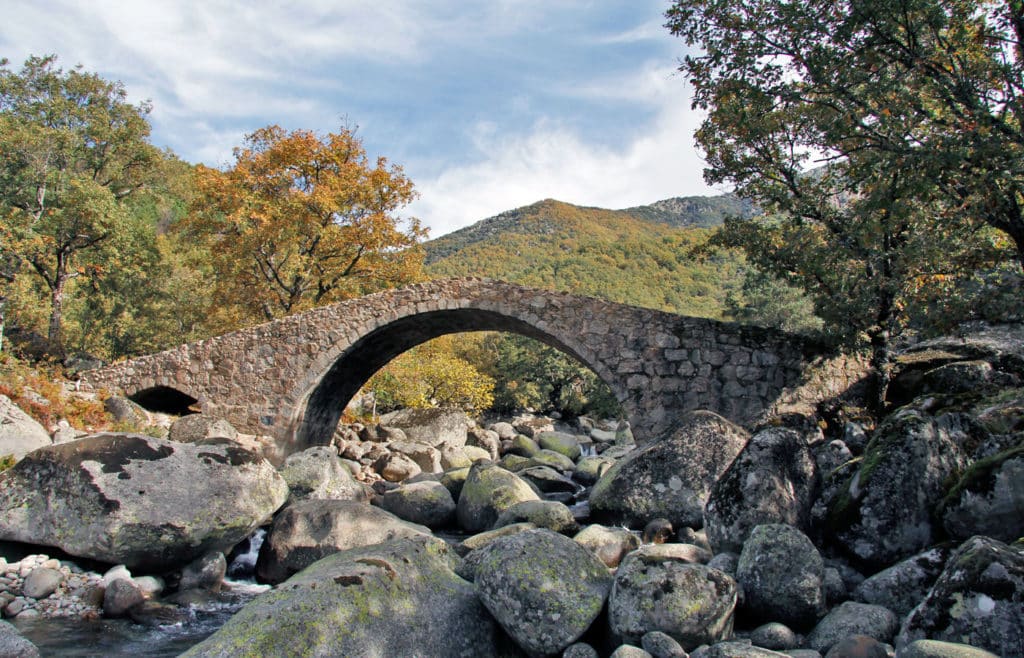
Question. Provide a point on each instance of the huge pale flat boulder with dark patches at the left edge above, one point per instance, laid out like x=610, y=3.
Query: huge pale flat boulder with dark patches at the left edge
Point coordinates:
x=138, y=501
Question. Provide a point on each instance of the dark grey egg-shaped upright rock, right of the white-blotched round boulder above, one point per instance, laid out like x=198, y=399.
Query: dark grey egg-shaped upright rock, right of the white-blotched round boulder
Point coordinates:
x=783, y=577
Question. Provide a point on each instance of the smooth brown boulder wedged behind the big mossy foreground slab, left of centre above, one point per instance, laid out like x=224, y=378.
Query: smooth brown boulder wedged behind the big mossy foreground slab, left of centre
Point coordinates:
x=309, y=531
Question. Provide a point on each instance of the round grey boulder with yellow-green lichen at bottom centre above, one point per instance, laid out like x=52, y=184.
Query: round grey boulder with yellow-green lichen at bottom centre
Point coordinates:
x=543, y=588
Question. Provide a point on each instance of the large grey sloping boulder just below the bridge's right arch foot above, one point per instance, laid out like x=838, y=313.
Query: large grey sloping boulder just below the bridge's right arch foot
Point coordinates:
x=670, y=478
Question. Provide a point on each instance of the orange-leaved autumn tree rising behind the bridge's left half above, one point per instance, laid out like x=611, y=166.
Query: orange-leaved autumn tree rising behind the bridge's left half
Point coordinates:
x=303, y=221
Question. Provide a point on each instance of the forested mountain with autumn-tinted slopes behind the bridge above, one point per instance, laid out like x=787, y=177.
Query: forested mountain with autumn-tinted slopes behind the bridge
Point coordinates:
x=637, y=256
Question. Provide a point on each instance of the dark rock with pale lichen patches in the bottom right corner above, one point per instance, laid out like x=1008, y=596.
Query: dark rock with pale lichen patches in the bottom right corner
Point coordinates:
x=977, y=600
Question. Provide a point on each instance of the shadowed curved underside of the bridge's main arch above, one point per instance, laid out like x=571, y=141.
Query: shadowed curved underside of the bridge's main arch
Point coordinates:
x=320, y=414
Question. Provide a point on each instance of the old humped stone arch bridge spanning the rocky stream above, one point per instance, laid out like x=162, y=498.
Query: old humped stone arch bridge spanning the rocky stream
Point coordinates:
x=292, y=378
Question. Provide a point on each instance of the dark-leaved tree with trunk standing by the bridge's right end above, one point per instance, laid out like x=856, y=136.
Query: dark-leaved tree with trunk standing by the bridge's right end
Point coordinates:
x=816, y=116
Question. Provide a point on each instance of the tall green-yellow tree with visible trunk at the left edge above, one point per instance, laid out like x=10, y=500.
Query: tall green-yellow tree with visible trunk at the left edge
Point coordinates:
x=71, y=150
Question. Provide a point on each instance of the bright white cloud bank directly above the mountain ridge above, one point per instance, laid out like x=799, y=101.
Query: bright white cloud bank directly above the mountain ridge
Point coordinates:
x=553, y=162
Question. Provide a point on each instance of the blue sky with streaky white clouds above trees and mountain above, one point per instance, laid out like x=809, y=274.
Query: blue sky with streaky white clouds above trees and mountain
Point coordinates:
x=487, y=105
